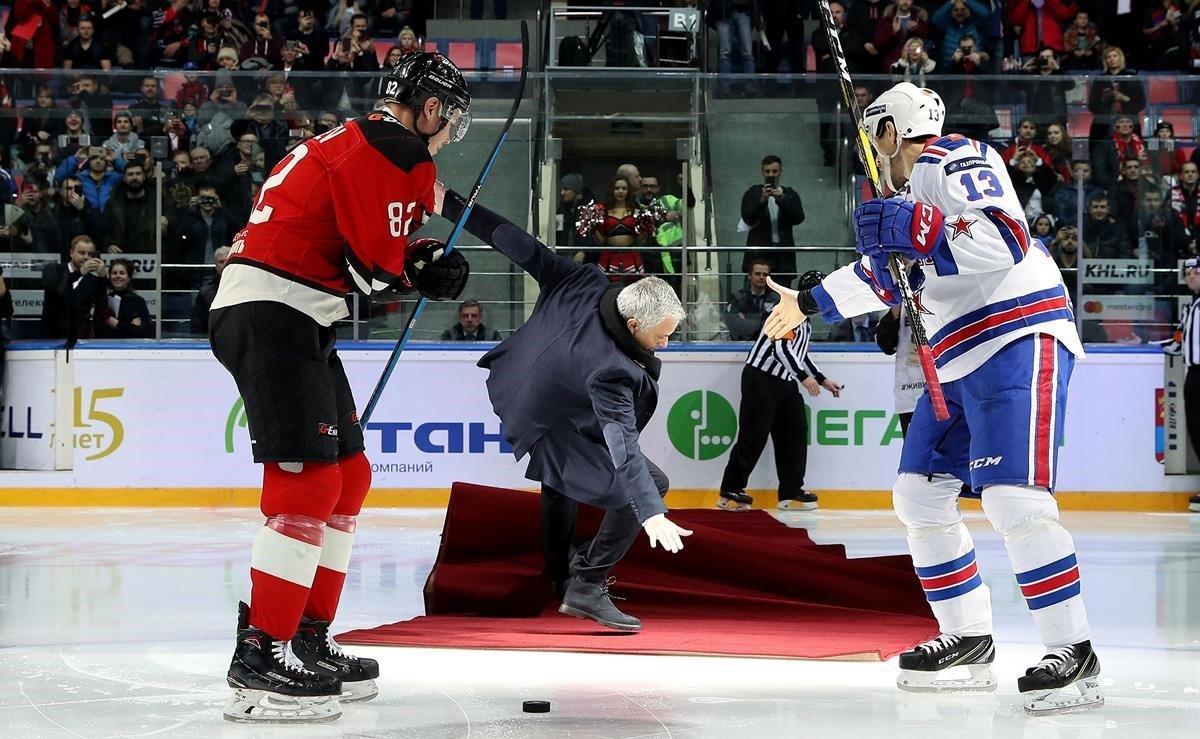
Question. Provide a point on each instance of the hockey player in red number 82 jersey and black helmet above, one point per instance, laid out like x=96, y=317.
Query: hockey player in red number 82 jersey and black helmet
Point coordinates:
x=335, y=214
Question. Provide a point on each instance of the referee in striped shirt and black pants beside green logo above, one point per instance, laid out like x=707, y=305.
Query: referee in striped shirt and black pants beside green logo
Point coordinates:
x=772, y=406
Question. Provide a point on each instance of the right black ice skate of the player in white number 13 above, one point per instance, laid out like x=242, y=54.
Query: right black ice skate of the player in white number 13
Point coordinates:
x=1073, y=665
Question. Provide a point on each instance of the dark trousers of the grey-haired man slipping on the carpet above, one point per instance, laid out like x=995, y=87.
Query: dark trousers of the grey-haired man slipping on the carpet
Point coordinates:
x=593, y=560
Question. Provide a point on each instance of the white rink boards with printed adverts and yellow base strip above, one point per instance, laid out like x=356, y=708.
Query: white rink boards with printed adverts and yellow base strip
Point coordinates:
x=163, y=424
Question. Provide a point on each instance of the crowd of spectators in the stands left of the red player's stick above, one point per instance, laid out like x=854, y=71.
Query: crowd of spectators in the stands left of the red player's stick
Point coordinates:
x=235, y=87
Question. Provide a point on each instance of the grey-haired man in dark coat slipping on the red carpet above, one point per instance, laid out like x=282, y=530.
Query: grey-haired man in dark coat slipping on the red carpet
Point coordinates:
x=575, y=387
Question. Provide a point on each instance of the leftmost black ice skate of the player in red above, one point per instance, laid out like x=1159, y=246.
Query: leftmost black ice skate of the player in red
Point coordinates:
x=272, y=686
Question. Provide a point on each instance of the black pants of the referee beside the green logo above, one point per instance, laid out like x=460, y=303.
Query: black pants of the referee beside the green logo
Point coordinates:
x=771, y=407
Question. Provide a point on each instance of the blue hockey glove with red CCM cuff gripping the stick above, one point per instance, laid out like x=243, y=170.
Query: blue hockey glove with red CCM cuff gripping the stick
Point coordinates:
x=897, y=226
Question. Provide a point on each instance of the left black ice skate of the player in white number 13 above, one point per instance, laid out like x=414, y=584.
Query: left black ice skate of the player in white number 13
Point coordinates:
x=922, y=666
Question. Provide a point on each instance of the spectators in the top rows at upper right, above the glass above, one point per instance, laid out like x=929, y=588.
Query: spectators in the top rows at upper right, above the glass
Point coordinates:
x=923, y=38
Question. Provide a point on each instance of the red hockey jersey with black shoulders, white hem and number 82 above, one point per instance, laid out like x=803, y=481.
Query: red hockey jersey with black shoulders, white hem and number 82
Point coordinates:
x=367, y=187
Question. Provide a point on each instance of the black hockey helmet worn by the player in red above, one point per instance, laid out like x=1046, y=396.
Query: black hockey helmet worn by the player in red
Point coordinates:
x=421, y=76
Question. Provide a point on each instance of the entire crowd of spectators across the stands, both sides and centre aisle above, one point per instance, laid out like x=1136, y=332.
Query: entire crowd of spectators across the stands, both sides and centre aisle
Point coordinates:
x=233, y=92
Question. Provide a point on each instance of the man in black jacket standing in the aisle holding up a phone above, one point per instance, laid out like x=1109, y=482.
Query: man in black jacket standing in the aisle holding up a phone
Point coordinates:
x=772, y=212
